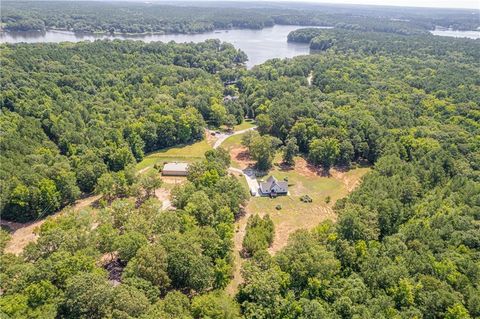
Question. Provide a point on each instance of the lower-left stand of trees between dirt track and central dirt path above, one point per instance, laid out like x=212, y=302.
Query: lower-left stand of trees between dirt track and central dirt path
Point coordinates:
x=161, y=259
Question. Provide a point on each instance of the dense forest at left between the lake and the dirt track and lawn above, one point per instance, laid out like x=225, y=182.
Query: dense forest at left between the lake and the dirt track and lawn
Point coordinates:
x=87, y=109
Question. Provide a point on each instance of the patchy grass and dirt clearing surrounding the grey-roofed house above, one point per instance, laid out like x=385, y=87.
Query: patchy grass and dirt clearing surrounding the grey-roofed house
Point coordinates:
x=304, y=179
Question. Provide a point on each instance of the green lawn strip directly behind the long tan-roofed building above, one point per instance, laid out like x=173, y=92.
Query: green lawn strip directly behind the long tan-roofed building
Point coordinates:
x=186, y=153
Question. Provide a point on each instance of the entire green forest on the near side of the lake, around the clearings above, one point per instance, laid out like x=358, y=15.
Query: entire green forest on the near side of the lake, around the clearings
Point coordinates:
x=406, y=242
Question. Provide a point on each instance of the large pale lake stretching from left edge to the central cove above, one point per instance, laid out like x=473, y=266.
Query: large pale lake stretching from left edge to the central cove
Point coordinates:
x=259, y=45
